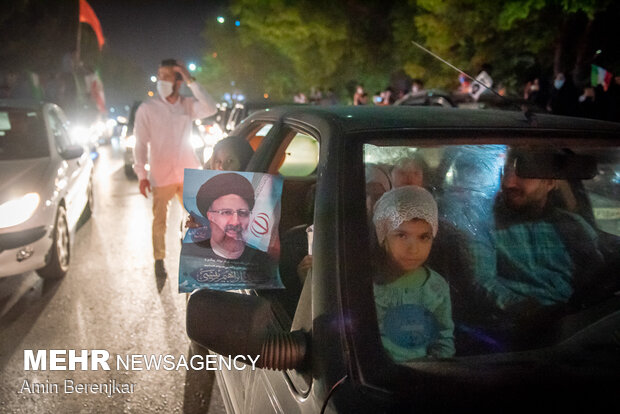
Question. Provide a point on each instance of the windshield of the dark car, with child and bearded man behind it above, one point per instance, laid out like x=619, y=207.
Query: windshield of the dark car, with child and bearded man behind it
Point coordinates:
x=483, y=249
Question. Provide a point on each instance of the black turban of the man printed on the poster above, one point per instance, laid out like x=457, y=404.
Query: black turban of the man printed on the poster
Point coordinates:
x=221, y=185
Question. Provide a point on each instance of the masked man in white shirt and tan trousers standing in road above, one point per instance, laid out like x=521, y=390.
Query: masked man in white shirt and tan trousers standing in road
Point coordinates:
x=163, y=129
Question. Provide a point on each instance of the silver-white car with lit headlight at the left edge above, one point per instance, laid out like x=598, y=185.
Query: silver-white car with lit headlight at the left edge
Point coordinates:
x=46, y=187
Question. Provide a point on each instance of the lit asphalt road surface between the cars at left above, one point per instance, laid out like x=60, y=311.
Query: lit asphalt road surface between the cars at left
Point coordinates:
x=109, y=300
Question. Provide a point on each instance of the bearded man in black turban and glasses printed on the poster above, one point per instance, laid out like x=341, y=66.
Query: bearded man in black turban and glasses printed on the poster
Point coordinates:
x=226, y=200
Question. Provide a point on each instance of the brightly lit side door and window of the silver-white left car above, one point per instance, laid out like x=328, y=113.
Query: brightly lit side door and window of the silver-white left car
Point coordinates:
x=73, y=172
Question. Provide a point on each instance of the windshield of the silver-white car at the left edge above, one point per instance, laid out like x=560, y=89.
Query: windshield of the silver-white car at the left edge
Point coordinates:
x=22, y=134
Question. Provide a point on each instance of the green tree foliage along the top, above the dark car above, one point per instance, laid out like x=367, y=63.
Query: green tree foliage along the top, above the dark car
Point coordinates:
x=282, y=46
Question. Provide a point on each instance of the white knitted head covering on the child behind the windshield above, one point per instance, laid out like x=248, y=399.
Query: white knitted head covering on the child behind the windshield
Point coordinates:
x=404, y=204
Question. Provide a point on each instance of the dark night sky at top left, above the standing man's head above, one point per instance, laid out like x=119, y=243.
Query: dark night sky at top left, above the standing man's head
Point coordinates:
x=148, y=31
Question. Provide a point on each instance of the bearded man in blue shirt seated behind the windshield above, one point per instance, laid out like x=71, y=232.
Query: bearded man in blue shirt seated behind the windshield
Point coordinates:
x=537, y=255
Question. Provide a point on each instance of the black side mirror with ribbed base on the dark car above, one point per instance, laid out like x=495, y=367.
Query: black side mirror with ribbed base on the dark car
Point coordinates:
x=236, y=324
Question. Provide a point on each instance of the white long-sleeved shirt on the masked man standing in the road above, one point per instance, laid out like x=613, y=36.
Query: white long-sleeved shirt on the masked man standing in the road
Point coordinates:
x=163, y=132
